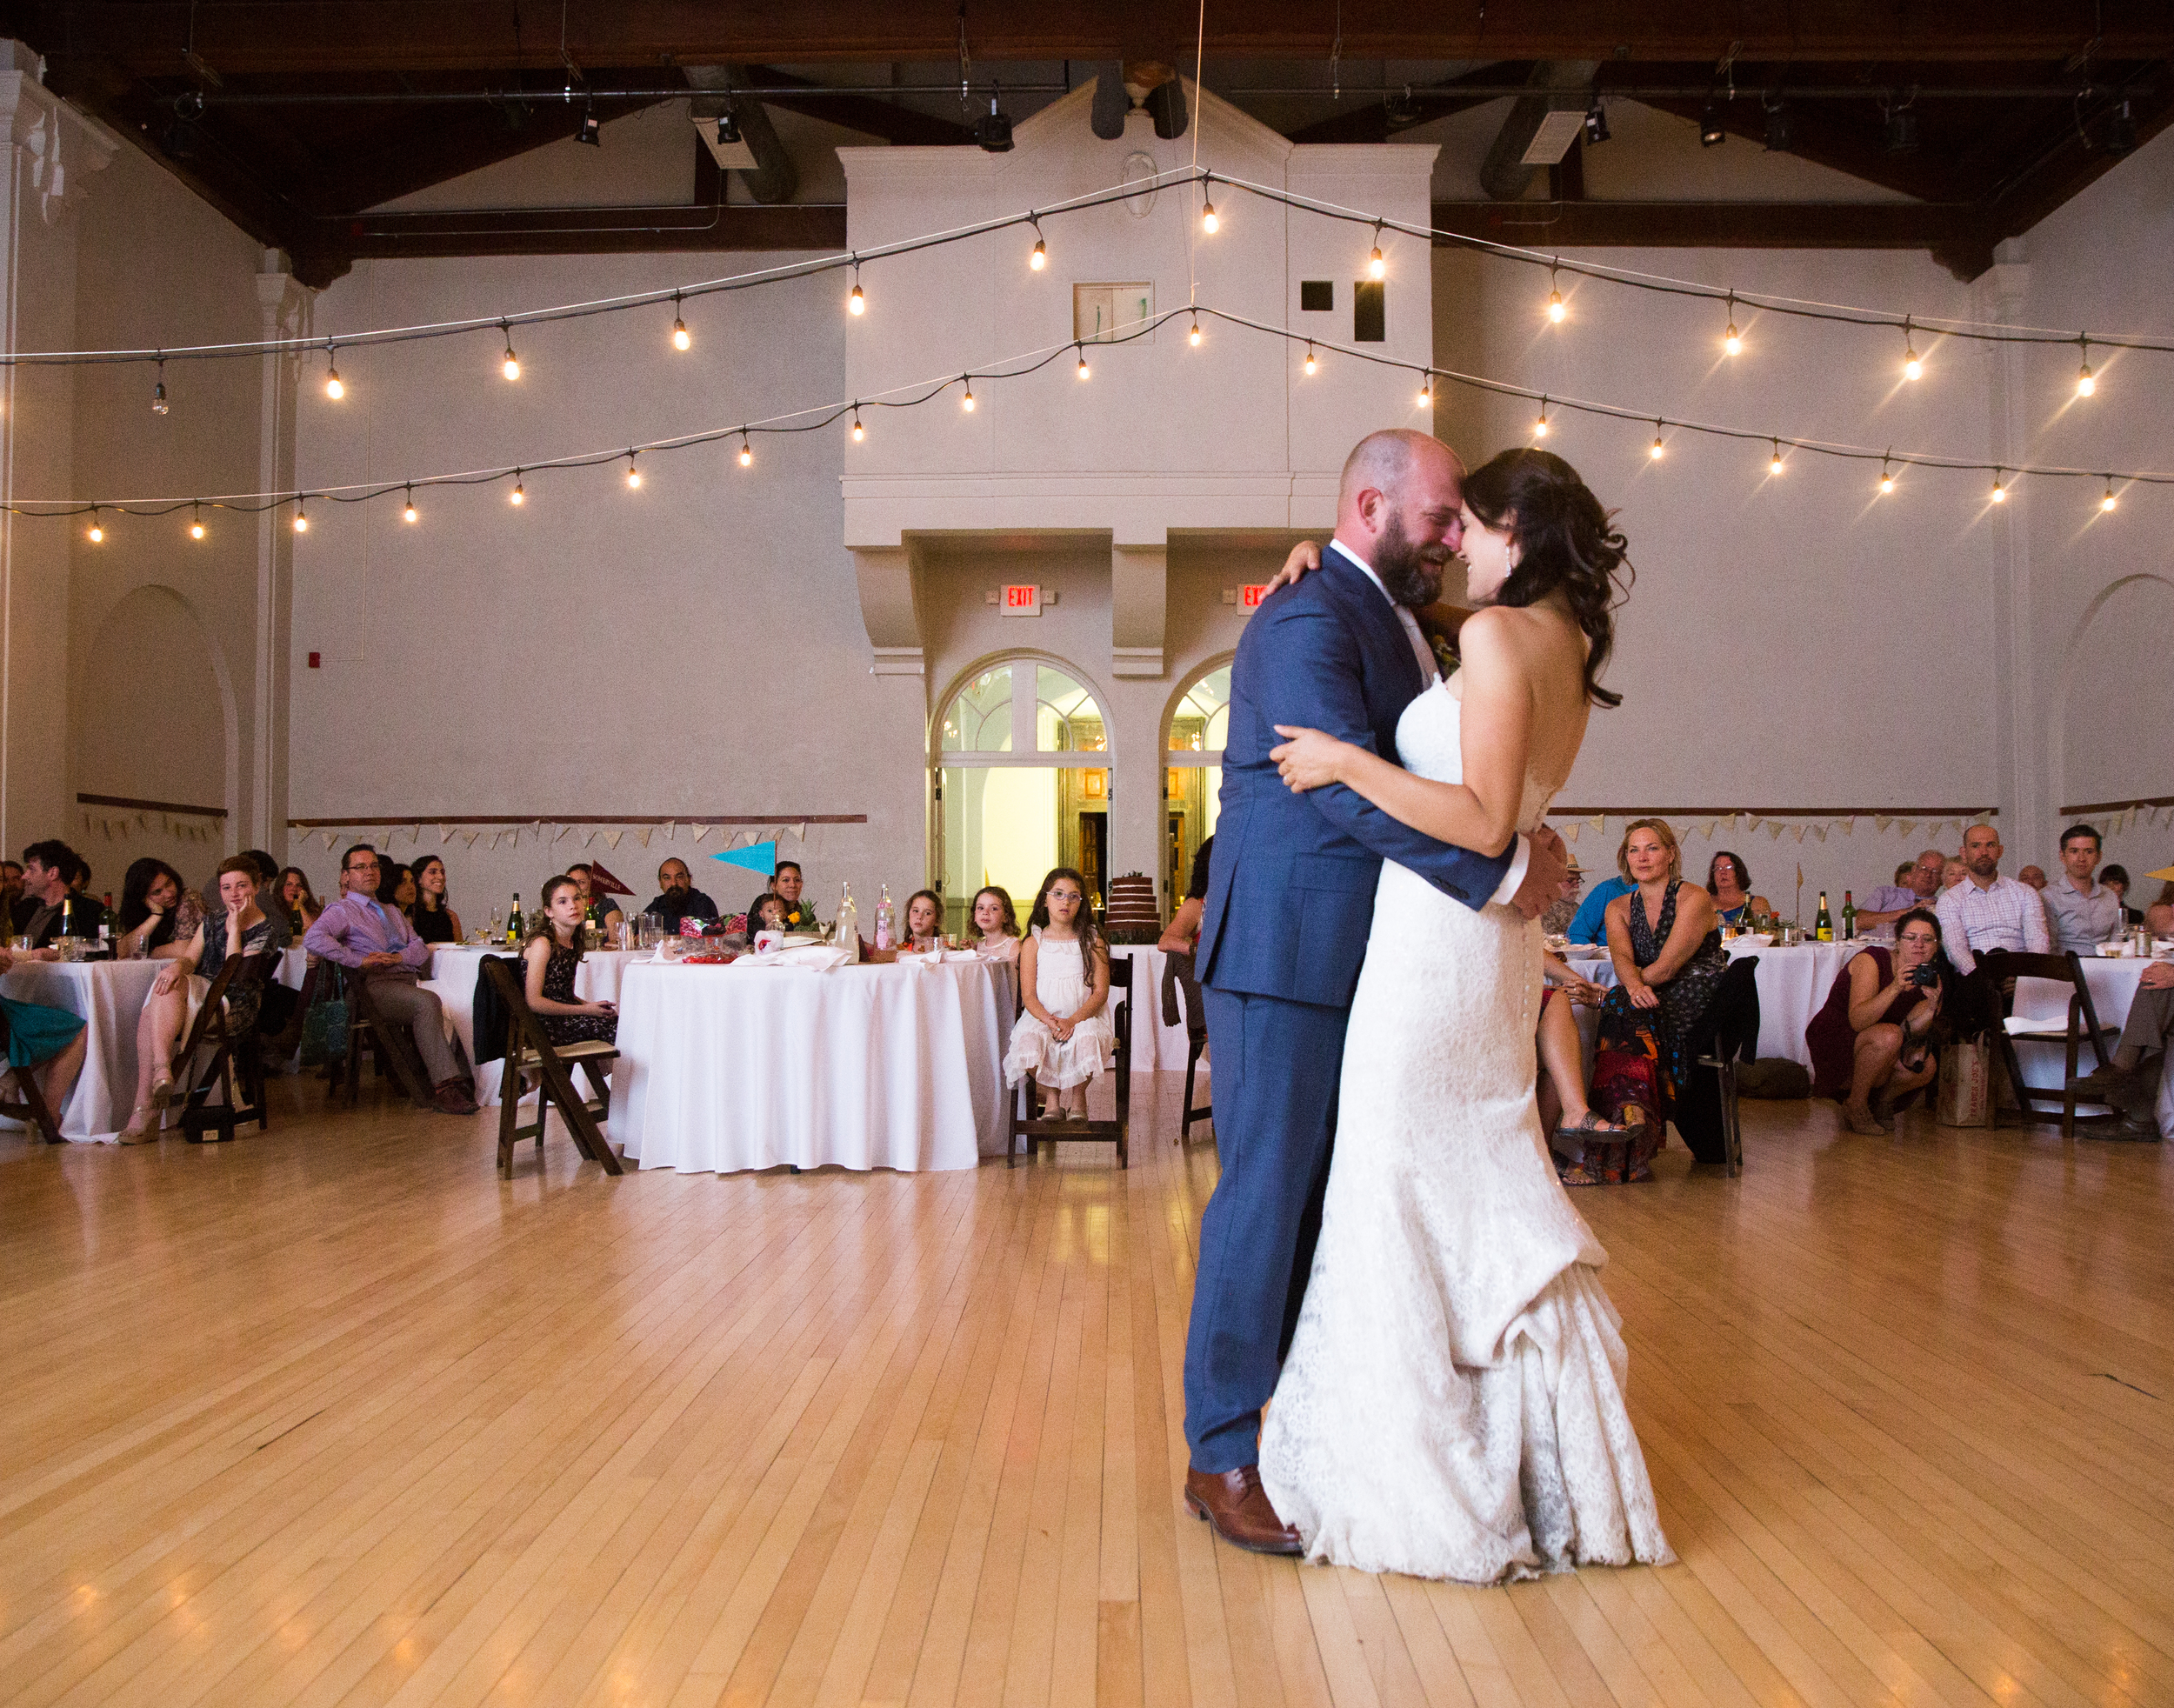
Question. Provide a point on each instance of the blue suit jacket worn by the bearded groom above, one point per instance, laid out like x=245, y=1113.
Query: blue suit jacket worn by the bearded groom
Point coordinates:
x=1292, y=881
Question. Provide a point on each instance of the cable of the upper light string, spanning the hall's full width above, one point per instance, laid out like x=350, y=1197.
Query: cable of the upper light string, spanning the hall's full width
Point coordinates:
x=1553, y=262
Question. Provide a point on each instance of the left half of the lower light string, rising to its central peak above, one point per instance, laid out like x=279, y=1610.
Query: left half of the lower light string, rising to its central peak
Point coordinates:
x=792, y=423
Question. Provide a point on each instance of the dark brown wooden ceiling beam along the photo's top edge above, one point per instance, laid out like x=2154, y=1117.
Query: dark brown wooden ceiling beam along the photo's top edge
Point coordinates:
x=351, y=36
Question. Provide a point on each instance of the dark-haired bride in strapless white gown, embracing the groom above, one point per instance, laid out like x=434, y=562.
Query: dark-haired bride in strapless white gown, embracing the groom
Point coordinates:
x=1453, y=1401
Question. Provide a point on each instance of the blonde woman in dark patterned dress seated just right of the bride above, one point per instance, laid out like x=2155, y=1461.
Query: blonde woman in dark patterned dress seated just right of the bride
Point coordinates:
x=1669, y=957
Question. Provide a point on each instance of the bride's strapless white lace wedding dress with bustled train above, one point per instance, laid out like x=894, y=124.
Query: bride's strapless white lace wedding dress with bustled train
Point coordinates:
x=1453, y=1403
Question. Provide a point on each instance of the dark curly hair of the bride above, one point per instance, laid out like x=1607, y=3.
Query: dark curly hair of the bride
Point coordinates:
x=1564, y=542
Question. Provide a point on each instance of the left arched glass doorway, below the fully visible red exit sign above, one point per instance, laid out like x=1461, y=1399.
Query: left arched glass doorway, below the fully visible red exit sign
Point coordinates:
x=1008, y=812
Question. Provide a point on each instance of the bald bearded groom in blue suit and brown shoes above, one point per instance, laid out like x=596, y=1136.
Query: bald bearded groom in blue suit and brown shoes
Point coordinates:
x=1288, y=914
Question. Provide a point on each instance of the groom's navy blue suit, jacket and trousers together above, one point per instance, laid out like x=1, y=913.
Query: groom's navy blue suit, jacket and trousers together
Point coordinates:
x=1288, y=914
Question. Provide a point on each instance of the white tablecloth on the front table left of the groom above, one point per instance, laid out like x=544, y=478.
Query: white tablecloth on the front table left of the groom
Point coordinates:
x=869, y=1068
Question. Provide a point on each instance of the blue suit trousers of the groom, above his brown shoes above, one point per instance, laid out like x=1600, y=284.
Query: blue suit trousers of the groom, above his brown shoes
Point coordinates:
x=1277, y=1068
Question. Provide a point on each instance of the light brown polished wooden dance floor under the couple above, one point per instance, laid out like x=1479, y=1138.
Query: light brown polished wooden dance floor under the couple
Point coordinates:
x=336, y=1416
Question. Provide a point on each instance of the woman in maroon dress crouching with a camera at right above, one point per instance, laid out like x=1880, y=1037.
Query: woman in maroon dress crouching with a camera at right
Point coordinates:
x=1873, y=1044
